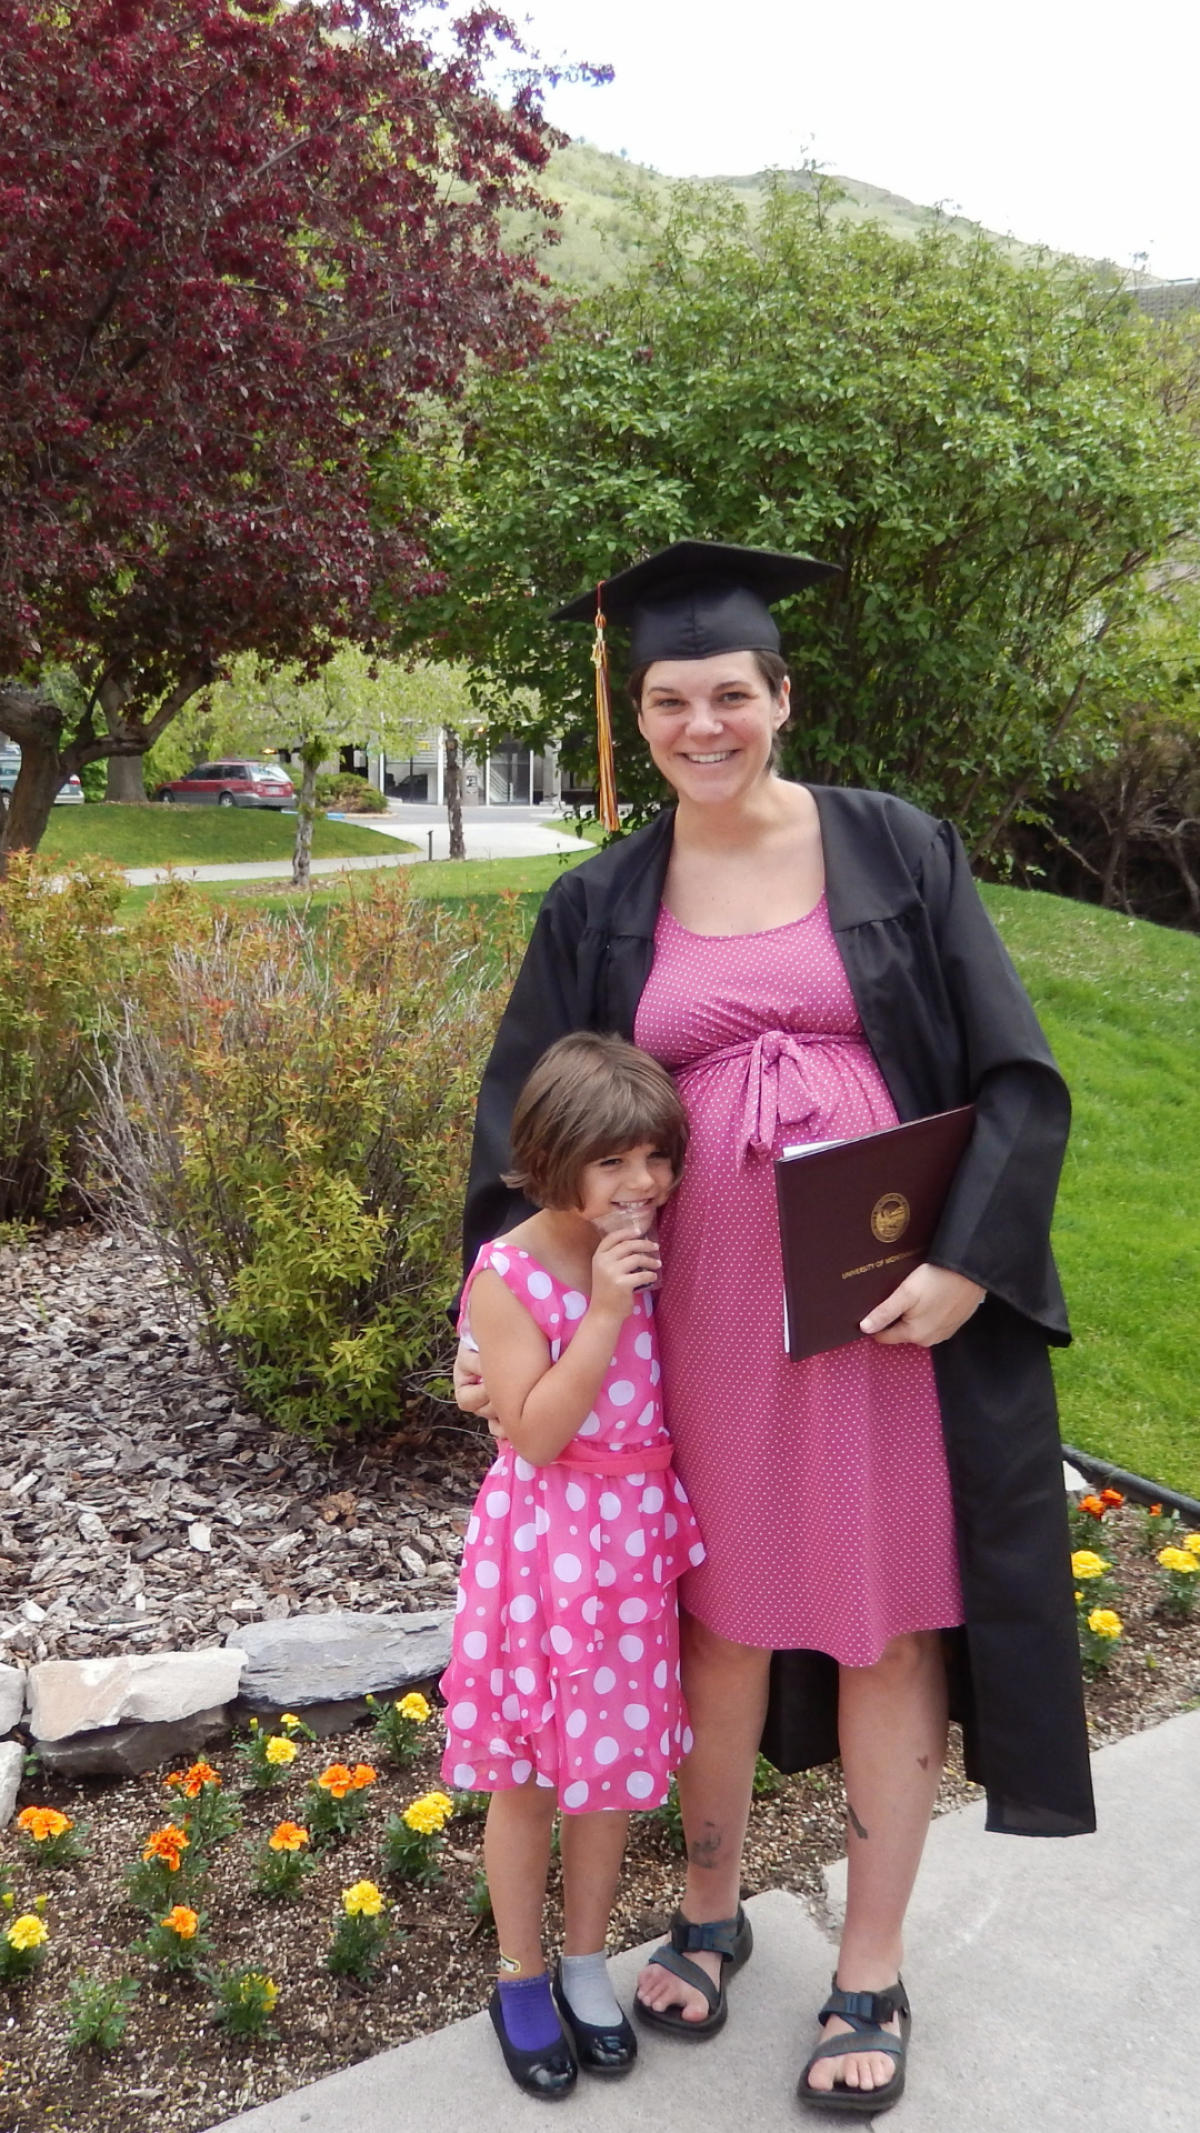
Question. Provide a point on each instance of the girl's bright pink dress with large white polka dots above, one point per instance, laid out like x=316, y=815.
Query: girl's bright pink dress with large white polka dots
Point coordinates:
x=566, y=1661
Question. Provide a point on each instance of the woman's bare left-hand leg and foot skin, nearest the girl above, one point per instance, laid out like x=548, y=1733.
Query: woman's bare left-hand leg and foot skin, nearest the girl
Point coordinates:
x=726, y=1690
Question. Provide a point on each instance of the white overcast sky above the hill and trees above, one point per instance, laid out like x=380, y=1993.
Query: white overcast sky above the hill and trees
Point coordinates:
x=1065, y=123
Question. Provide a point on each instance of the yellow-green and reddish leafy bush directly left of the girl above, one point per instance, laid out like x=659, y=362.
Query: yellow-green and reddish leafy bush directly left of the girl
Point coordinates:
x=291, y=1114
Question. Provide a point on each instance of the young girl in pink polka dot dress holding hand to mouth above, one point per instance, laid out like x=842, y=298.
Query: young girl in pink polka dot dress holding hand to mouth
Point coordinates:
x=564, y=1688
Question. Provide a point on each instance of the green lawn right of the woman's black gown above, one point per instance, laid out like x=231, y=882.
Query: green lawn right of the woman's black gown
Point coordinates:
x=1122, y=1006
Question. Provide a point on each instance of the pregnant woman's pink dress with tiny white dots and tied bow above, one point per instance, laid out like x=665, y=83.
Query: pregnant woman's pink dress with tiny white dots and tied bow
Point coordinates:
x=822, y=1488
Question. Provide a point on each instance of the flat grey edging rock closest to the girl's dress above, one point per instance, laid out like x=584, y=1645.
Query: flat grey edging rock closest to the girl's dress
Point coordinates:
x=340, y=1656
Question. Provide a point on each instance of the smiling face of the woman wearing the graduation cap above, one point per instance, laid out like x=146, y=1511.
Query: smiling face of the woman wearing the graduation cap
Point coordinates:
x=711, y=724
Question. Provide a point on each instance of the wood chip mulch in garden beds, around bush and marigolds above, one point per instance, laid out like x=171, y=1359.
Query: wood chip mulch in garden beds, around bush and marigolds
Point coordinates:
x=84, y=1400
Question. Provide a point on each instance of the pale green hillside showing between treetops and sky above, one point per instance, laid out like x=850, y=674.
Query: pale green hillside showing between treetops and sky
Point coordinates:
x=598, y=229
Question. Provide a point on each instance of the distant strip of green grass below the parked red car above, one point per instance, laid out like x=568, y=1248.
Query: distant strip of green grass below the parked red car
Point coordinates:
x=159, y=835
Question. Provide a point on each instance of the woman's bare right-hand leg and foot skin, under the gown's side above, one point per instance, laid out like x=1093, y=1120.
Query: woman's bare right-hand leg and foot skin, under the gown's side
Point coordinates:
x=894, y=1742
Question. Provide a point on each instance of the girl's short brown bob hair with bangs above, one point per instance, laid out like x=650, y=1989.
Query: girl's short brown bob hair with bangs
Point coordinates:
x=591, y=1097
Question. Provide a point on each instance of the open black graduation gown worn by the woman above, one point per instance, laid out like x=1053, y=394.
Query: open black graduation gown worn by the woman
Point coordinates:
x=950, y=1023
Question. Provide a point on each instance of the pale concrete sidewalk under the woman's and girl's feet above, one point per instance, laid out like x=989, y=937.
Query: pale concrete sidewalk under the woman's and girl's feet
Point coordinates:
x=1054, y=1989
